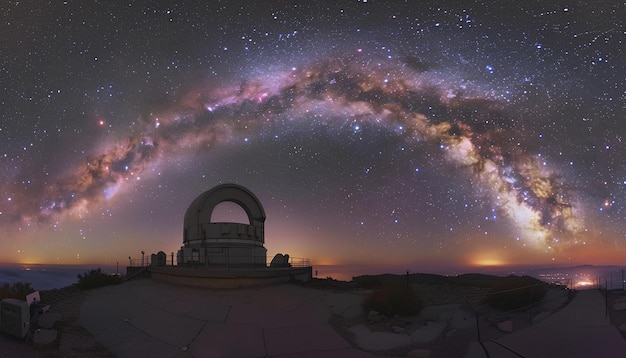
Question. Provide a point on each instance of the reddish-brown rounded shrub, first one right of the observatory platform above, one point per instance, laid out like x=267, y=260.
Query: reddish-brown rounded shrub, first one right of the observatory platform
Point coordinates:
x=393, y=297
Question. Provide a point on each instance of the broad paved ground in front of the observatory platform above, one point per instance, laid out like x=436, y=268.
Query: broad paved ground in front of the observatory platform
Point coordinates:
x=150, y=318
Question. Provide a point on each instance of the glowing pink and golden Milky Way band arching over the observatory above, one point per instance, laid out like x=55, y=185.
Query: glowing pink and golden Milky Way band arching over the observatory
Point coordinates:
x=473, y=131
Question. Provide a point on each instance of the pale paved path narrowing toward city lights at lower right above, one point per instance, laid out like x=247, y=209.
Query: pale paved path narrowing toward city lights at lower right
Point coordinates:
x=580, y=329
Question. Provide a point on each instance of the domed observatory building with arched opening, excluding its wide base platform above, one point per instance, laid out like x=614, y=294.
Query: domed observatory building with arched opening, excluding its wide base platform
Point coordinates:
x=223, y=244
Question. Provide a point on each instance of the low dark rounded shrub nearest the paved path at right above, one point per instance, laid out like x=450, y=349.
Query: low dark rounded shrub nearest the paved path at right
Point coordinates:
x=514, y=292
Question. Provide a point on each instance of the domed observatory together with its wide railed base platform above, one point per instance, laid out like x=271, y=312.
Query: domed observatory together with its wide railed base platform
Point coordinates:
x=227, y=254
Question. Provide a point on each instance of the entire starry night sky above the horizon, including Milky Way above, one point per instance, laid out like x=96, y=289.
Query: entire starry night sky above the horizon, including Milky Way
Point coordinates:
x=420, y=133
